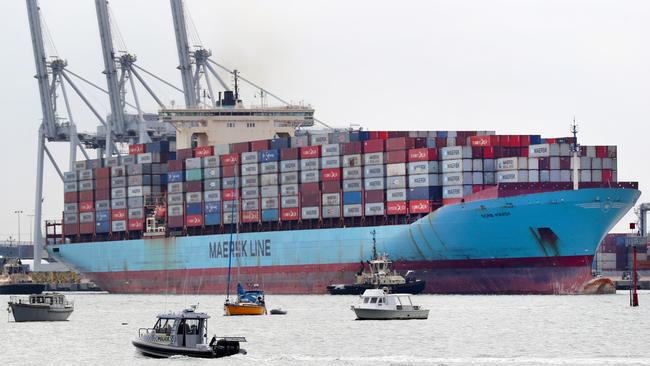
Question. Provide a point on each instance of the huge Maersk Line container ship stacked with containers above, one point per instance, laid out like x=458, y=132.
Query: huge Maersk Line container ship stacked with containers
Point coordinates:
x=469, y=211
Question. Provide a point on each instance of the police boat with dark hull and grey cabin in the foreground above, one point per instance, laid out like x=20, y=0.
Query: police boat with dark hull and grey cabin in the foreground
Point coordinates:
x=185, y=334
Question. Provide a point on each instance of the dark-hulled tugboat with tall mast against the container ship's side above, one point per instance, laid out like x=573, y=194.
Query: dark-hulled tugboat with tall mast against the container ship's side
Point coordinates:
x=380, y=276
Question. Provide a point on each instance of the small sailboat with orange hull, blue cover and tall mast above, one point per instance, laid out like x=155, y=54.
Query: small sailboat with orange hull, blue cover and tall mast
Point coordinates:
x=247, y=302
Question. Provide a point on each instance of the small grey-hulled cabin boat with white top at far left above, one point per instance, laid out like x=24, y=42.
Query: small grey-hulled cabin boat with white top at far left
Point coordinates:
x=41, y=307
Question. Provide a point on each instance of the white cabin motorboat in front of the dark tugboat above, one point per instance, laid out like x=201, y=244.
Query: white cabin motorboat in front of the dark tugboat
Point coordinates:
x=379, y=304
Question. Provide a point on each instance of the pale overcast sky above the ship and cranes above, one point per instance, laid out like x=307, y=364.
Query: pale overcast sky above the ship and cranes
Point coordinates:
x=516, y=67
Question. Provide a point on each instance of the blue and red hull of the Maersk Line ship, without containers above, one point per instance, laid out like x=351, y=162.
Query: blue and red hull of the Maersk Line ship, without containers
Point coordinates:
x=534, y=243
